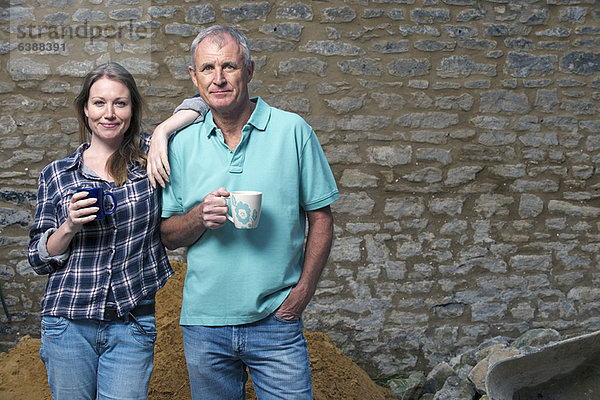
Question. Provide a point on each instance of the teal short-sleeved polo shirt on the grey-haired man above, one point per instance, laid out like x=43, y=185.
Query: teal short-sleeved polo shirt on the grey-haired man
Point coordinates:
x=237, y=276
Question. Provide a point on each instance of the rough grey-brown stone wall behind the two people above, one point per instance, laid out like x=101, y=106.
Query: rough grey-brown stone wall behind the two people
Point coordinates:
x=464, y=136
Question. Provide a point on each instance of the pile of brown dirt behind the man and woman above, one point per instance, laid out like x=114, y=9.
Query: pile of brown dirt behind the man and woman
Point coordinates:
x=335, y=376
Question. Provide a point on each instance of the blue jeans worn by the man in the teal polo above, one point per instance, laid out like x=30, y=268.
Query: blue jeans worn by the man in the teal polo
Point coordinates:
x=274, y=351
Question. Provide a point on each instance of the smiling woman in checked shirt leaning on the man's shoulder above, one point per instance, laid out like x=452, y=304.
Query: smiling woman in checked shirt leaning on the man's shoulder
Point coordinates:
x=98, y=326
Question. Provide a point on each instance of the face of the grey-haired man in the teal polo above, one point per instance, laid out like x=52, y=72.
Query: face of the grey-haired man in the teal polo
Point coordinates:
x=220, y=75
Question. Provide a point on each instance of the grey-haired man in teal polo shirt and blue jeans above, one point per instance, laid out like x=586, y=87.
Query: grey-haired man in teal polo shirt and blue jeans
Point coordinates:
x=245, y=290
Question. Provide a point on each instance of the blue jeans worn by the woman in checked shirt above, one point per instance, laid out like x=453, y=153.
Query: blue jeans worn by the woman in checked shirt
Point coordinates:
x=88, y=359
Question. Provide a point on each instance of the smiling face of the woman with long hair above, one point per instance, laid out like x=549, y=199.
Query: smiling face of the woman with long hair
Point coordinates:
x=108, y=110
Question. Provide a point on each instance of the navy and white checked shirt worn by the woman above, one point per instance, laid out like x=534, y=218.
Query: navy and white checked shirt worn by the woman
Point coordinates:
x=123, y=250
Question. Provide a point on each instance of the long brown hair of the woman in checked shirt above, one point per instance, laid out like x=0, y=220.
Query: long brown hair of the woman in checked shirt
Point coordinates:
x=130, y=150
